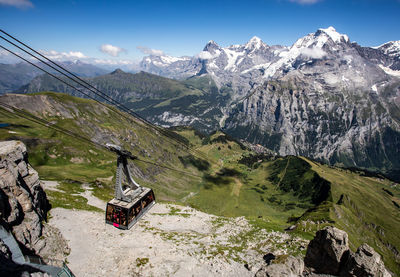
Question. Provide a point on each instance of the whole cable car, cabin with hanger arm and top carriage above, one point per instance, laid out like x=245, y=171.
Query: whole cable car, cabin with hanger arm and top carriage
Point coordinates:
x=129, y=204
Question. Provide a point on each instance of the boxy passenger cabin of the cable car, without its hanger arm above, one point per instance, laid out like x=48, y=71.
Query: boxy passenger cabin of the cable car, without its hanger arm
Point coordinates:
x=124, y=215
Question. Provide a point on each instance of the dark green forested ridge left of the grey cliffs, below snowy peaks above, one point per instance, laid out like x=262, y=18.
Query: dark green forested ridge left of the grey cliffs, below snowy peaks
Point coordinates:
x=151, y=95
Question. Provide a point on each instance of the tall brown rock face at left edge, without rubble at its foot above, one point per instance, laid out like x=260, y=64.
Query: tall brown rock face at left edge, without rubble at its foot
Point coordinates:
x=23, y=202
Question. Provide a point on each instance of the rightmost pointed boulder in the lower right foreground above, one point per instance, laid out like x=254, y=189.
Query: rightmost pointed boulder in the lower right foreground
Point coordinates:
x=364, y=263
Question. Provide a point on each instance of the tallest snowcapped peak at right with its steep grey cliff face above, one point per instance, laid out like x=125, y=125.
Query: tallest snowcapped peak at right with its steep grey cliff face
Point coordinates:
x=328, y=100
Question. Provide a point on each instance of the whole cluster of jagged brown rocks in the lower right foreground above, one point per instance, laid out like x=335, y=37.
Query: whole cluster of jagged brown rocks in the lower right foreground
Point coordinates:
x=328, y=254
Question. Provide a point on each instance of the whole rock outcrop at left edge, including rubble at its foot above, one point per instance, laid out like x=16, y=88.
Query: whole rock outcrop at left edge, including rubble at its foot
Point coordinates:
x=23, y=211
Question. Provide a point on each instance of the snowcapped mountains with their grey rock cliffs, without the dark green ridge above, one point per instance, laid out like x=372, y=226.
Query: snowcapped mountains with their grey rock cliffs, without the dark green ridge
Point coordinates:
x=324, y=97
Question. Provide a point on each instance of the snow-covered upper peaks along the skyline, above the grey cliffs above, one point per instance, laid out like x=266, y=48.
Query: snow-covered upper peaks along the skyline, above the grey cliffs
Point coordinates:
x=244, y=67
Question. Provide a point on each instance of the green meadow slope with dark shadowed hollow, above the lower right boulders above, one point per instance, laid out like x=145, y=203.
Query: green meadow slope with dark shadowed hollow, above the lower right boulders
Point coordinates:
x=366, y=209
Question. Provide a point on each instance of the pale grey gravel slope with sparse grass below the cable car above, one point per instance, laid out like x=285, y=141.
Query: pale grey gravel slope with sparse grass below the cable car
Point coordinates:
x=169, y=240
